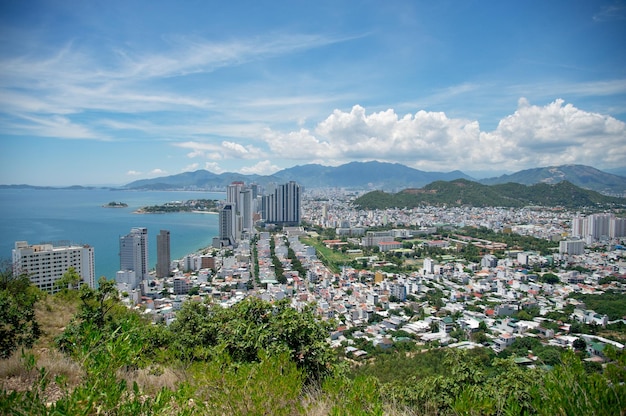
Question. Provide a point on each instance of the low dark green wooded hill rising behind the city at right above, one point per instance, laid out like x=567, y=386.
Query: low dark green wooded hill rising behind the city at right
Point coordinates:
x=462, y=192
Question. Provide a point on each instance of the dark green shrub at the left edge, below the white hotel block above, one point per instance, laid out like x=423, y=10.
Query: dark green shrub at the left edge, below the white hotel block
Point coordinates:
x=18, y=326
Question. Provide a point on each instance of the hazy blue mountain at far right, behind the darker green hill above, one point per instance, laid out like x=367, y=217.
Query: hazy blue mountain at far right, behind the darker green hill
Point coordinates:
x=580, y=175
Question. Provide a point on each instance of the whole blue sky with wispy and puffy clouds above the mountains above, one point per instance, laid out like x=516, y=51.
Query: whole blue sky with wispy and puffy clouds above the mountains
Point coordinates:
x=108, y=92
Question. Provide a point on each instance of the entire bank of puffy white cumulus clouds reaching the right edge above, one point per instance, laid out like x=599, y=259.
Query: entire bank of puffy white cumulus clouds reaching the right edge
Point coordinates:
x=556, y=133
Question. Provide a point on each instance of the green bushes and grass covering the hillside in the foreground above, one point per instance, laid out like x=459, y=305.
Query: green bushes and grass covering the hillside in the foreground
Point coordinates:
x=268, y=358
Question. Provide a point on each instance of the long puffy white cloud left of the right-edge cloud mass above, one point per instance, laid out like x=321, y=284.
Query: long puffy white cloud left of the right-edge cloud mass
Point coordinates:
x=356, y=136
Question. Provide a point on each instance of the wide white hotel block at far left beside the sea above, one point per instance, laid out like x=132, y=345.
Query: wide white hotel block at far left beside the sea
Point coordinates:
x=46, y=263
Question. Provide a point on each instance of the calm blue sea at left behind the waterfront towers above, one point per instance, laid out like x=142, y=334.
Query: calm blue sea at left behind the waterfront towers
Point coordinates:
x=77, y=215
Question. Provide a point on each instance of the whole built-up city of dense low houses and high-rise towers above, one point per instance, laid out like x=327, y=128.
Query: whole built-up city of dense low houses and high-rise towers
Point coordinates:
x=407, y=270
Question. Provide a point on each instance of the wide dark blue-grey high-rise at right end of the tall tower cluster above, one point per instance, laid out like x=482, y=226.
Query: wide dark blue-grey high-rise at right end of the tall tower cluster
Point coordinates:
x=283, y=205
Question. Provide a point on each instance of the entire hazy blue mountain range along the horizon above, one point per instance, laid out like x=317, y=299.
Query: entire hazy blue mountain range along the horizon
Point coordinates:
x=390, y=177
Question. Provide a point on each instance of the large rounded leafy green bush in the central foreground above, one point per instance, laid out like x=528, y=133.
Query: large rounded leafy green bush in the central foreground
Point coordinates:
x=251, y=327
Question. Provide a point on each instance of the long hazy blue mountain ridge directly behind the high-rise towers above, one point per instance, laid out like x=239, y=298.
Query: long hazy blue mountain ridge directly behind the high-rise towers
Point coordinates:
x=354, y=175
